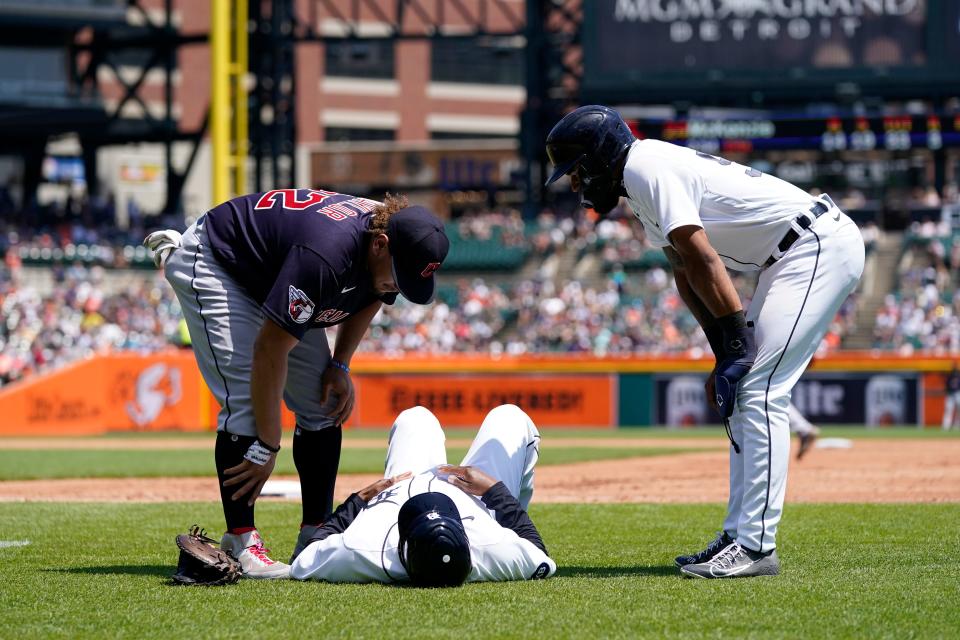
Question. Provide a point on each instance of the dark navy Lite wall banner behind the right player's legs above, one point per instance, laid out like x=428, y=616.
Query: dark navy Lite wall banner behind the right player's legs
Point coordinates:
x=828, y=398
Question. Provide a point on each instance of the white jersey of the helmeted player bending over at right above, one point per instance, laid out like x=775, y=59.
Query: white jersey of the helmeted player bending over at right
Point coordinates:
x=744, y=212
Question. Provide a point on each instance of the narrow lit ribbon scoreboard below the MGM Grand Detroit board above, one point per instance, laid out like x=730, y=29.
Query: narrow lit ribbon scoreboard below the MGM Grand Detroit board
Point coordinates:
x=829, y=134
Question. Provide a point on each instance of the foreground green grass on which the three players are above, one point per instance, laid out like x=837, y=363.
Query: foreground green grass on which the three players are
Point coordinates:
x=101, y=571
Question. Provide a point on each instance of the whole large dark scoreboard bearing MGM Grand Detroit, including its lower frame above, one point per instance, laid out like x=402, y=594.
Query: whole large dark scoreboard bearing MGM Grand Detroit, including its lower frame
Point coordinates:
x=768, y=51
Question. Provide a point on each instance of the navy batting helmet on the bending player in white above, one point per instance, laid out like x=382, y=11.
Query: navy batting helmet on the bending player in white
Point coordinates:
x=592, y=140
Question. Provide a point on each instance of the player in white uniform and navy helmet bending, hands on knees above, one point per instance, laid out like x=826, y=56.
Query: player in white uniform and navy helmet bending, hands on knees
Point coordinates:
x=708, y=213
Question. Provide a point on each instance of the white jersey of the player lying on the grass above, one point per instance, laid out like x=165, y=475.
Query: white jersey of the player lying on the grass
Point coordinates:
x=367, y=551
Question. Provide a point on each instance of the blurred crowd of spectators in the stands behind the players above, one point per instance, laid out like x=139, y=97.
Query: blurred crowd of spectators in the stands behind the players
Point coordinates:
x=623, y=302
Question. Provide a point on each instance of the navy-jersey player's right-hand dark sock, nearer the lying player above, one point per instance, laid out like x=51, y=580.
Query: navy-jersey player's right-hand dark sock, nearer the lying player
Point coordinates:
x=317, y=456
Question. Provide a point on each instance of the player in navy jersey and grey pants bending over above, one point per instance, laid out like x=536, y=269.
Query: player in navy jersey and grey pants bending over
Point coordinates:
x=259, y=278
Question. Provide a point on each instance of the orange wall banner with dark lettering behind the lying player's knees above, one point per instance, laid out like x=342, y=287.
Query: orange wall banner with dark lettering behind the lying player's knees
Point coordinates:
x=581, y=401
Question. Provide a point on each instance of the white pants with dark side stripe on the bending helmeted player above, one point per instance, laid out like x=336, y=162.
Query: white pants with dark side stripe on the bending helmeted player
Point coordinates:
x=796, y=299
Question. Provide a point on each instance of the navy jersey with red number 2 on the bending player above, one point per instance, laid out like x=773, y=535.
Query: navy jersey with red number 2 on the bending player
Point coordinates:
x=298, y=252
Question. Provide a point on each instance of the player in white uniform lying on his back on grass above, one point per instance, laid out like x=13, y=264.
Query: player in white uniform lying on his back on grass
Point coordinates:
x=434, y=524
